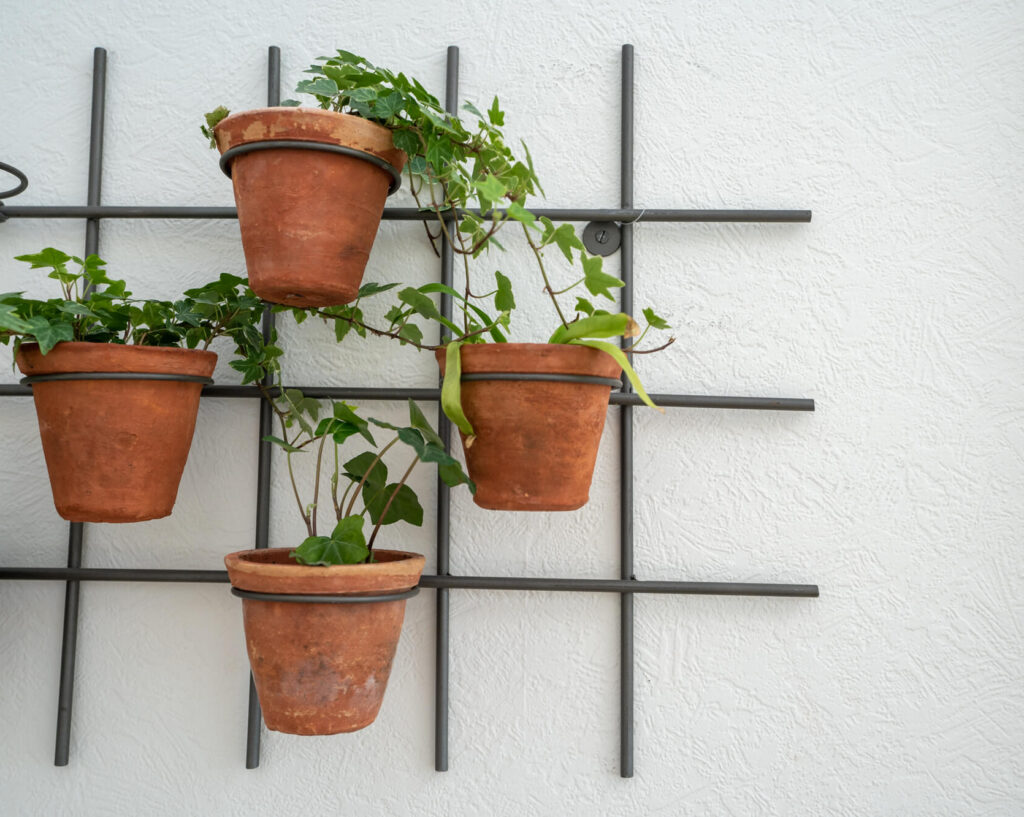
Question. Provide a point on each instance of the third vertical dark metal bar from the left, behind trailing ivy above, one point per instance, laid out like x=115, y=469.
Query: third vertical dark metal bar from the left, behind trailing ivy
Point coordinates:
x=444, y=493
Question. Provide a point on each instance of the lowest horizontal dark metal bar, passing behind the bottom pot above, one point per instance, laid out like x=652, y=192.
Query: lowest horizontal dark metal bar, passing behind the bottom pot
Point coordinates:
x=452, y=582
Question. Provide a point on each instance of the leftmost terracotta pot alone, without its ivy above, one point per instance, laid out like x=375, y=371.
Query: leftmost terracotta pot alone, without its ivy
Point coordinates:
x=115, y=449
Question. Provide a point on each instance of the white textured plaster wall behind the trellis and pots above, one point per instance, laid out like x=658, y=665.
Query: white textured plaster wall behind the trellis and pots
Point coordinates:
x=900, y=310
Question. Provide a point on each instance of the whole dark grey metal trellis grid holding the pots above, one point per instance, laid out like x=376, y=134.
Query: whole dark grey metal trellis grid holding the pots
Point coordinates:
x=627, y=586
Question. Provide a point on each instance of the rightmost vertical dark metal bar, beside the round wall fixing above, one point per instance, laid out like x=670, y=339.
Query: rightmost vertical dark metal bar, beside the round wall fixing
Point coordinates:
x=626, y=434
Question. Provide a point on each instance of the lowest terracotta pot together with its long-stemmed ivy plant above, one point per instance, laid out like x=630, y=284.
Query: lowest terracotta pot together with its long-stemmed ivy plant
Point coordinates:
x=323, y=621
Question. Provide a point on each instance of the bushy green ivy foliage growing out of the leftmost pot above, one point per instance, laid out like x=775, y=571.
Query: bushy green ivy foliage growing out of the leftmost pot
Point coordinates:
x=96, y=309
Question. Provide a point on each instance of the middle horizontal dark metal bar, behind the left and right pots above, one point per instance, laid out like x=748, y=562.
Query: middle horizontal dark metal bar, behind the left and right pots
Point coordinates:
x=429, y=395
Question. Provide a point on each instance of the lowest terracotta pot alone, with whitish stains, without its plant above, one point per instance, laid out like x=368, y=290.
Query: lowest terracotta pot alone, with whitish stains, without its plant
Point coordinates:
x=322, y=669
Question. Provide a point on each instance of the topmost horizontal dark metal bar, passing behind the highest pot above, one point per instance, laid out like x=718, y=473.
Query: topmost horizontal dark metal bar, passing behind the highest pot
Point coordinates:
x=415, y=214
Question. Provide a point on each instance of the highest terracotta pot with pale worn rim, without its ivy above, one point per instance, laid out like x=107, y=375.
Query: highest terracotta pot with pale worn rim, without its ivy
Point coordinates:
x=309, y=219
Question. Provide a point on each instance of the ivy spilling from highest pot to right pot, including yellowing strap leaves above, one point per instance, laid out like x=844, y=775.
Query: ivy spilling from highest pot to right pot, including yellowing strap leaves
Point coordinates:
x=463, y=173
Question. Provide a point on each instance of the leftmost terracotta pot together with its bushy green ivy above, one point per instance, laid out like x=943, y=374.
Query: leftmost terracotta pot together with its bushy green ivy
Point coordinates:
x=116, y=382
